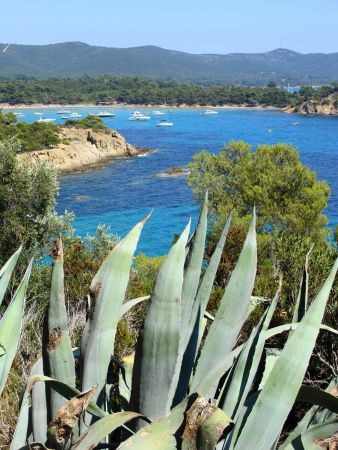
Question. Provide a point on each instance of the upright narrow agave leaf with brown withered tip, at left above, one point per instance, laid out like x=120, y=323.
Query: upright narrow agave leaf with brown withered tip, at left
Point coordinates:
x=58, y=348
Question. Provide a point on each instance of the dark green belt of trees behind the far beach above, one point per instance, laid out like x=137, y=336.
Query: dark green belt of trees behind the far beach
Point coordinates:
x=133, y=90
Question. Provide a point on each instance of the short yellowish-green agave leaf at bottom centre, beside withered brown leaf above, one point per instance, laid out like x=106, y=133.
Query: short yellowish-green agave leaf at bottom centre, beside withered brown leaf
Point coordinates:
x=159, y=435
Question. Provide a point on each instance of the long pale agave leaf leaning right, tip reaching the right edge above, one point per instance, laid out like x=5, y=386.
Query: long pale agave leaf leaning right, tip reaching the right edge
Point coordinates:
x=281, y=388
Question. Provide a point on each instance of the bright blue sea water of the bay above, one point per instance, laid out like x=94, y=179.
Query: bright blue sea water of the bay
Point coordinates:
x=125, y=190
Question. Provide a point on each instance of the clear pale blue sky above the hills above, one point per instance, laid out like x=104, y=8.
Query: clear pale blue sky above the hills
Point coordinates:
x=208, y=26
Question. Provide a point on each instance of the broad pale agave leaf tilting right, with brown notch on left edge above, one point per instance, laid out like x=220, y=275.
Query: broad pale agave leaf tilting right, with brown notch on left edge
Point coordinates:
x=108, y=290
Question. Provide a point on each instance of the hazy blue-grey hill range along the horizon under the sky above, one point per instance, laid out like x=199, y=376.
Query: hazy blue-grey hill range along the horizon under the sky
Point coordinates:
x=76, y=58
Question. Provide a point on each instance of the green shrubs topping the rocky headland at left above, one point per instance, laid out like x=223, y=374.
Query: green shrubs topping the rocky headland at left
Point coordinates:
x=34, y=136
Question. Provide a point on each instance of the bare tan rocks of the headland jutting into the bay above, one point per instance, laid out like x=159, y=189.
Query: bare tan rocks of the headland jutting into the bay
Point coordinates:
x=82, y=149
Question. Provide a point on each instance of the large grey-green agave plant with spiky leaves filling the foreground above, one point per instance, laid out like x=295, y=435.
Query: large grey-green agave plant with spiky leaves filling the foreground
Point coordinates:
x=178, y=390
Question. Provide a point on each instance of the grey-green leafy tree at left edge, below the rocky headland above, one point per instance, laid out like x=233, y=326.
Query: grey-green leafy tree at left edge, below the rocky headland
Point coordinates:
x=27, y=202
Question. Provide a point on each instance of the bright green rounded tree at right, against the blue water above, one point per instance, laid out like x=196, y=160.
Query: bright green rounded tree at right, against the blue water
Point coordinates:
x=287, y=194
